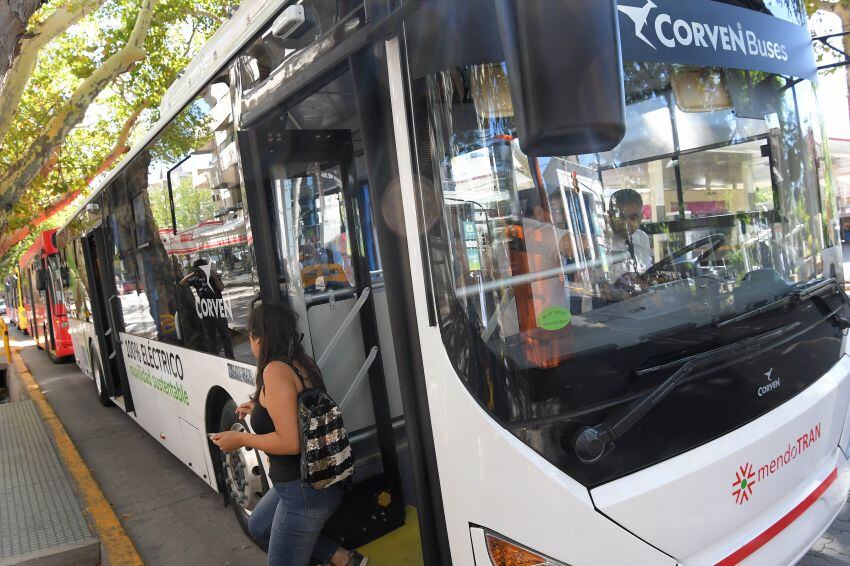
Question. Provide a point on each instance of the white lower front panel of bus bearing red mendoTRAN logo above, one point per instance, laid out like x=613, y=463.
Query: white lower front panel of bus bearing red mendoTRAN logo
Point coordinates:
x=685, y=506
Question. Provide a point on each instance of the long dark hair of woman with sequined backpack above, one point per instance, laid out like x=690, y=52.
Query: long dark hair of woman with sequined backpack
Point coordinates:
x=275, y=326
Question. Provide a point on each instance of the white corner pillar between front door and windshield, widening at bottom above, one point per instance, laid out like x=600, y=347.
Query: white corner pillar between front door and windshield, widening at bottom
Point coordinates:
x=487, y=476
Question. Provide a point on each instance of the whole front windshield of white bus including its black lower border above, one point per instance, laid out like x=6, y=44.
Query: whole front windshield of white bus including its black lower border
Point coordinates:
x=558, y=278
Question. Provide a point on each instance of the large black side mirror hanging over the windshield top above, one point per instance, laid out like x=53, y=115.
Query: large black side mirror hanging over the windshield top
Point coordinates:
x=565, y=72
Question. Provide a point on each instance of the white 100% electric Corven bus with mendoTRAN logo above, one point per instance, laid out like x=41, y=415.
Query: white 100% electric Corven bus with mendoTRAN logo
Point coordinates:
x=570, y=268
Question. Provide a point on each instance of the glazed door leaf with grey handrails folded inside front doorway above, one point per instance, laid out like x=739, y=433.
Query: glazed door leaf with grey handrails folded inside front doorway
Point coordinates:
x=318, y=201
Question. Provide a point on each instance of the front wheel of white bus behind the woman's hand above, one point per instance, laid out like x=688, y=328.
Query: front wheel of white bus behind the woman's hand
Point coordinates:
x=243, y=473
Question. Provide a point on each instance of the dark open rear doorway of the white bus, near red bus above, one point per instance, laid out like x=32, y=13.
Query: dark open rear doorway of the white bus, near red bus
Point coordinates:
x=107, y=316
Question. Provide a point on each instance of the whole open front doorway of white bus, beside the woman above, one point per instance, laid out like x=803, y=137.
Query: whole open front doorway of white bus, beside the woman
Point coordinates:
x=309, y=184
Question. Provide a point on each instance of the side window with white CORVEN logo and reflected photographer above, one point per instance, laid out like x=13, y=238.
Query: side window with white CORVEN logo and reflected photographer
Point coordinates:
x=195, y=267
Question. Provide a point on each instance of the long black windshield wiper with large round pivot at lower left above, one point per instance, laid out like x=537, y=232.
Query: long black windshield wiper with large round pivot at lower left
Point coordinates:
x=592, y=443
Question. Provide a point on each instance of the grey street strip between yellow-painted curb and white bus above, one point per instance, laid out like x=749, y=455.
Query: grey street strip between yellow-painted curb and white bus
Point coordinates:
x=170, y=514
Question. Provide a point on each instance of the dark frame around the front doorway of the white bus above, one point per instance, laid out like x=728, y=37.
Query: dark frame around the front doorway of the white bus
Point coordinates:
x=366, y=53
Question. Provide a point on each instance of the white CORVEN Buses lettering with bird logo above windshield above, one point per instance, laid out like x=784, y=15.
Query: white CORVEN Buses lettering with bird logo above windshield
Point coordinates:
x=673, y=32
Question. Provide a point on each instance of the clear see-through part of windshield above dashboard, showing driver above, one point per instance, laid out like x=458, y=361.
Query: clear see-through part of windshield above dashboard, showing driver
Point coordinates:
x=694, y=217
